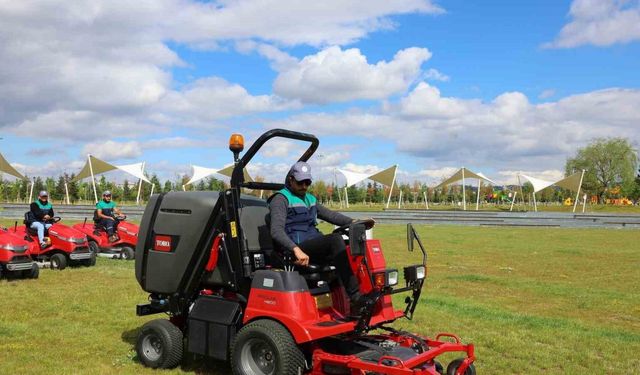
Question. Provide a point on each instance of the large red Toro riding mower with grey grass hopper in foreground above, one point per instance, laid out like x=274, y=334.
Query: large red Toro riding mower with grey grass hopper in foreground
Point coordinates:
x=208, y=261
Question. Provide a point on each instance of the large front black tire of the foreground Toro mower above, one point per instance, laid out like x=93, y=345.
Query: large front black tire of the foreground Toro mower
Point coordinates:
x=265, y=347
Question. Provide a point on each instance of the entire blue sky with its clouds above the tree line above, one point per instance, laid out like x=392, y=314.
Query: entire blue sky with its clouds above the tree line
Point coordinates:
x=499, y=87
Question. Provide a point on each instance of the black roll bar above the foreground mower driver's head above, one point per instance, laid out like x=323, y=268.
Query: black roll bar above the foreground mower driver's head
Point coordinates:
x=237, y=177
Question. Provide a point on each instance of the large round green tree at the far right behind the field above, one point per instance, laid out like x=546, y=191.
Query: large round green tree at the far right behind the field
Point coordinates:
x=608, y=162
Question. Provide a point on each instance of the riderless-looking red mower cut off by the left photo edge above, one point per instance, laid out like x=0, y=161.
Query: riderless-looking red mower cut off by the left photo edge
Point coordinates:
x=15, y=261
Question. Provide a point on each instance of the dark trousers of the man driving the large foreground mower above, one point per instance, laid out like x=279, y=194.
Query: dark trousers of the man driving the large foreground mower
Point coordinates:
x=329, y=249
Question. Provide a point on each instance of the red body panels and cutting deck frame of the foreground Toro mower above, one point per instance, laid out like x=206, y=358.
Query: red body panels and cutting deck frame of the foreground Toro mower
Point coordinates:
x=300, y=314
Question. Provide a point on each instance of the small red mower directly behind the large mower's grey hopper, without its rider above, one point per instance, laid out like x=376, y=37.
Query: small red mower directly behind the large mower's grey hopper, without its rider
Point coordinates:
x=99, y=243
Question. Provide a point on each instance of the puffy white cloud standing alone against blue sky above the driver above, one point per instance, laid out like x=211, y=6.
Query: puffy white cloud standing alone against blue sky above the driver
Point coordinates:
x=336, y=75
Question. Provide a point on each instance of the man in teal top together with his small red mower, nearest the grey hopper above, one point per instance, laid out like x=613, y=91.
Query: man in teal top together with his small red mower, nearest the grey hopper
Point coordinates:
x=110, y=236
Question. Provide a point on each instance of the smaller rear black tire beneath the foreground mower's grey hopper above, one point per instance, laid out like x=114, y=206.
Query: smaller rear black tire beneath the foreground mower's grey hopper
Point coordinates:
x=160, y=344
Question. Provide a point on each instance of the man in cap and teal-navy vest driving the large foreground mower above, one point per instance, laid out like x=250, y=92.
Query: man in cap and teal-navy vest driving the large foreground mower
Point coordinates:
x=293, y=217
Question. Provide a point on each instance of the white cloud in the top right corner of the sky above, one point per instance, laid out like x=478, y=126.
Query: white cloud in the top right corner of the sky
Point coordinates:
x=601, y=23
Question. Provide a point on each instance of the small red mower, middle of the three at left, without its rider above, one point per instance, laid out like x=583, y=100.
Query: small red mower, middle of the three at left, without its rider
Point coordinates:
x=67, y=246
